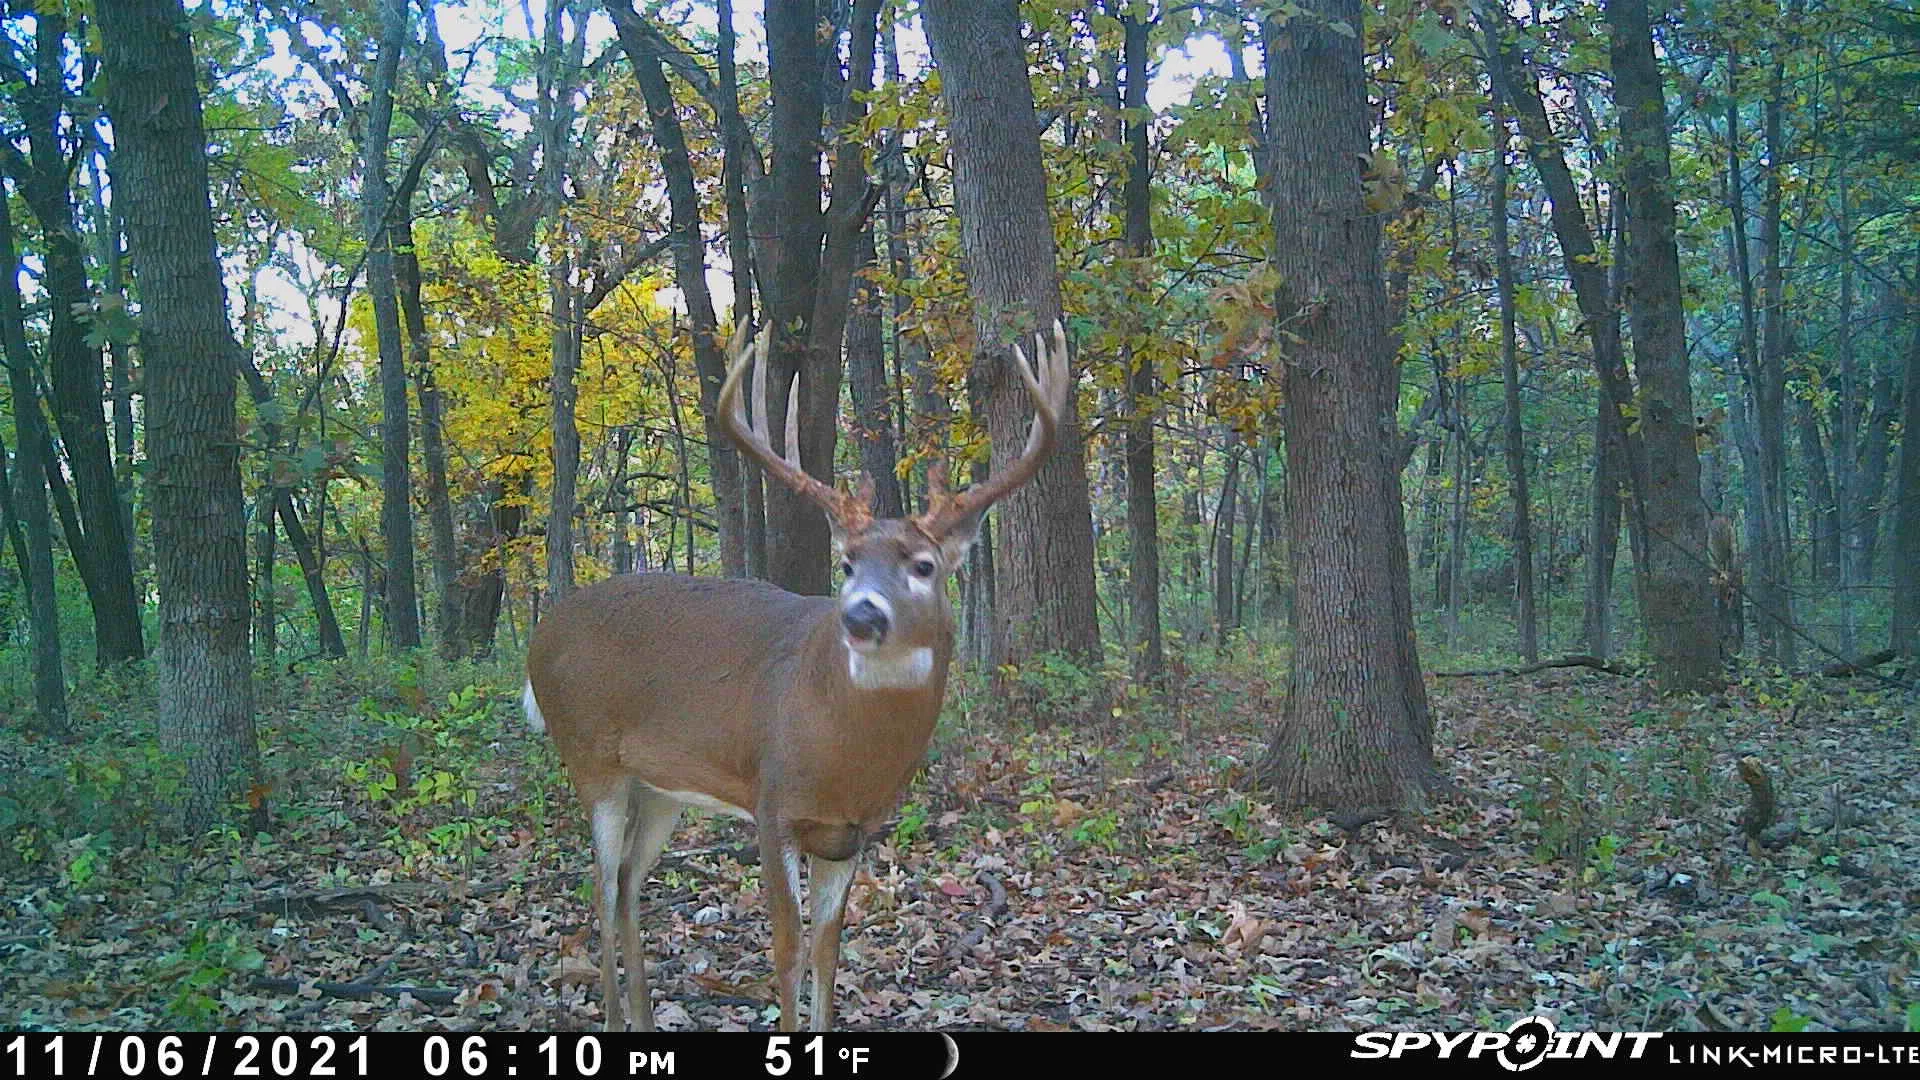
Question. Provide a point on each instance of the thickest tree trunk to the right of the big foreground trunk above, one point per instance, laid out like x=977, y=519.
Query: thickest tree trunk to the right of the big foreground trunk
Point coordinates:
x=1675, y=597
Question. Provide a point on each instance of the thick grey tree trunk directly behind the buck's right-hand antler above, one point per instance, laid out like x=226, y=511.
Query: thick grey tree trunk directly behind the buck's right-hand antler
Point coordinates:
x=1044, y=558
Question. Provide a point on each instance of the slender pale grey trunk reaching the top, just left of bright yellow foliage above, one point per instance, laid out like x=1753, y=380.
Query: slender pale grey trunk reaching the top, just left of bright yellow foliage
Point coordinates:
x=379, y=207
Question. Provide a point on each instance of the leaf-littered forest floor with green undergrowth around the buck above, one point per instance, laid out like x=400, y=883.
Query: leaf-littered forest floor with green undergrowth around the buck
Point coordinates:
x=429, y=871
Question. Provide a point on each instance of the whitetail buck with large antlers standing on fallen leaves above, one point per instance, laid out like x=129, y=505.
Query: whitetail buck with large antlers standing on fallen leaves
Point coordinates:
x=804, y=714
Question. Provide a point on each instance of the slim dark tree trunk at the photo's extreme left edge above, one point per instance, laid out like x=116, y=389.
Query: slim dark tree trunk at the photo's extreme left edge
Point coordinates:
x=30, y=495
